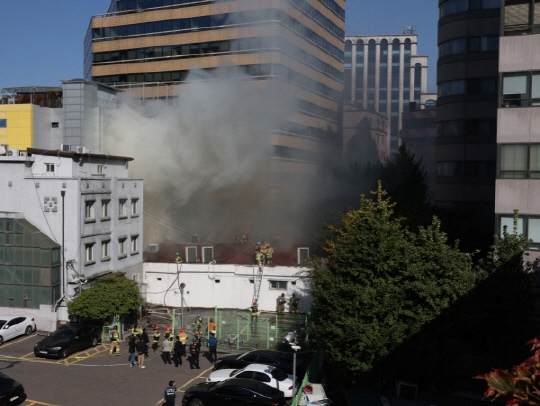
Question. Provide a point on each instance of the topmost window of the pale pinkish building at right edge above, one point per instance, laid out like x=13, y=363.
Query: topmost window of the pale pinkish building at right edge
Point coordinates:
x=521, y=17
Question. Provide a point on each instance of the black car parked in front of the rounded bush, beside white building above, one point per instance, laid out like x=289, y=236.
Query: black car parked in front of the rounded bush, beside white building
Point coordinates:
x=68, y=339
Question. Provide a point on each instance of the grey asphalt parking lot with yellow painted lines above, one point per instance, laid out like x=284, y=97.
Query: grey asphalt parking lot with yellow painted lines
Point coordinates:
x=92, y=377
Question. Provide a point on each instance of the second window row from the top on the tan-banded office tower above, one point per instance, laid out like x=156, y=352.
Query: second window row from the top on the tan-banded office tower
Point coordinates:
x=169, y=27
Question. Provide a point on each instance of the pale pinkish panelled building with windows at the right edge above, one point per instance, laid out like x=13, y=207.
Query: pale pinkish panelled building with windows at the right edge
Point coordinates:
x=518, y=118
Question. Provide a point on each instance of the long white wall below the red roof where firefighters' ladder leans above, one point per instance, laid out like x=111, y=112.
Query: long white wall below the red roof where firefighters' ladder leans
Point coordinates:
x=224, y=286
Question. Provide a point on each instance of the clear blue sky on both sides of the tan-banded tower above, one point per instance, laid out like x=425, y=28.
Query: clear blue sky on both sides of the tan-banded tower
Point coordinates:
x=42, y=40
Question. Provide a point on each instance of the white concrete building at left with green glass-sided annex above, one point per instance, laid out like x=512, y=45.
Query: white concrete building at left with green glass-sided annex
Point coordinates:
x=79, y=204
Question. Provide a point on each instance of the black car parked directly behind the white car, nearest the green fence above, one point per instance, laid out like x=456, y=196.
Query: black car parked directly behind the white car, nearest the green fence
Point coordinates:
x=281, y=360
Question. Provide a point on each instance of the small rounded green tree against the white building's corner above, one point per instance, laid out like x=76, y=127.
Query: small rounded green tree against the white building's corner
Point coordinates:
x=113, y=295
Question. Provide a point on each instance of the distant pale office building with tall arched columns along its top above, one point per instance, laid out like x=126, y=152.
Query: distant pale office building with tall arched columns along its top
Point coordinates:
x=383, y=73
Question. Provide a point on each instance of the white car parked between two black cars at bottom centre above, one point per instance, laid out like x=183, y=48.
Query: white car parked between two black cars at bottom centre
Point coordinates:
x=267, y=374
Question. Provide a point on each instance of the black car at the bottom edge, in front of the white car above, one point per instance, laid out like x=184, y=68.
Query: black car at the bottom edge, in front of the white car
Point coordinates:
x=233, y=392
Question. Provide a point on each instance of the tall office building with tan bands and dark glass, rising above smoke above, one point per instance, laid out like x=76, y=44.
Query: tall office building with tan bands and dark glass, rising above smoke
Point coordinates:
x=148, y=47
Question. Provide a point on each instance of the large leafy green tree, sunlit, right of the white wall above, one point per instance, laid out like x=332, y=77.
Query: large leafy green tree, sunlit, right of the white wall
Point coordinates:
x=380, y=283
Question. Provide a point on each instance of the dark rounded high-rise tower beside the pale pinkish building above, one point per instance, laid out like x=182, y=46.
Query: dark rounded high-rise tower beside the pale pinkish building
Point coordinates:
x=467, y=72
